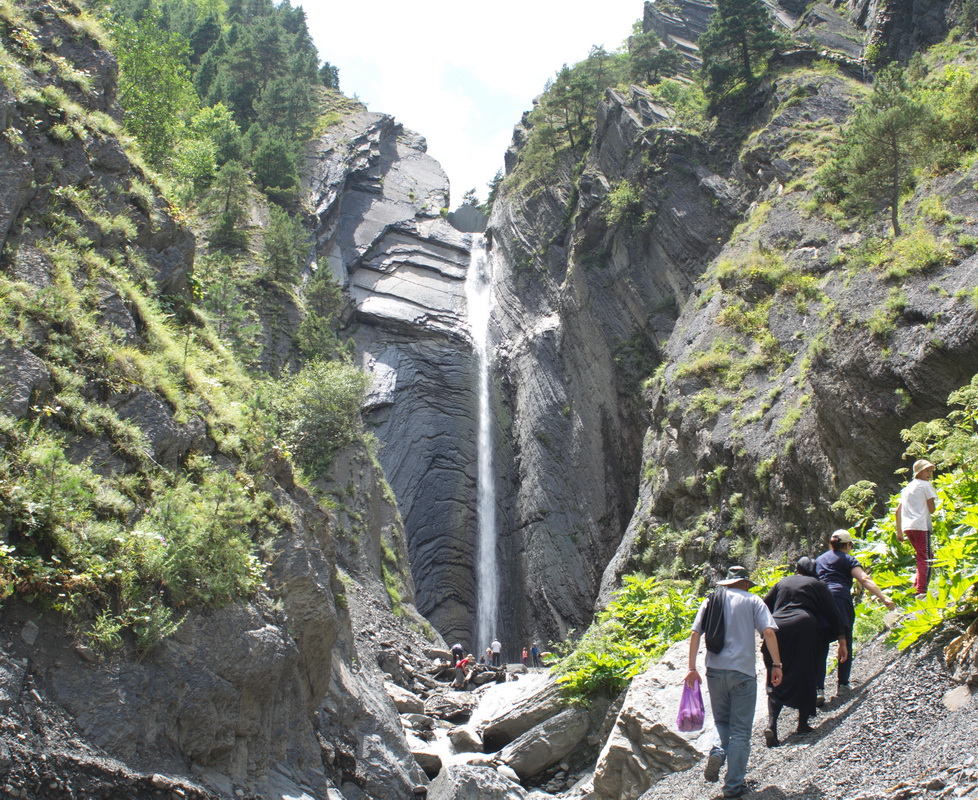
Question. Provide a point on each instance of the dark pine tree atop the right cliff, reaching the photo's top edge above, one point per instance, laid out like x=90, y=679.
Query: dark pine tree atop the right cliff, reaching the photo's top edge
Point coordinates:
x=738, y=38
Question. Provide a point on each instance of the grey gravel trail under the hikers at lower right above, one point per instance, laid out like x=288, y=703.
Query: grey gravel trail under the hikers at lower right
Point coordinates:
x=892, y=737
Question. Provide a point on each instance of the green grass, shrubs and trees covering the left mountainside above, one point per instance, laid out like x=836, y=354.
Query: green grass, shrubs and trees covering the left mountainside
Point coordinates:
x=96, y=524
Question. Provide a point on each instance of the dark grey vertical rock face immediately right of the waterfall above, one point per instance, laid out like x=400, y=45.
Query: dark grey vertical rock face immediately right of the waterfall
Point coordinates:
x=583, y=323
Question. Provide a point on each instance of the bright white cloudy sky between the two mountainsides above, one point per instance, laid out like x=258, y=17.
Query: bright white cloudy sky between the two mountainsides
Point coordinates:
x=461, y=73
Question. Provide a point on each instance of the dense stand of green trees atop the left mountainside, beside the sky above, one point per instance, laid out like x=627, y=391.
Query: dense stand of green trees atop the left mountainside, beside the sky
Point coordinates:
x=203, y=84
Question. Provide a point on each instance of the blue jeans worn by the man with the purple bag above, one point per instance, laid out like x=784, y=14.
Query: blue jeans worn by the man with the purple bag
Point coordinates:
x=733, y=697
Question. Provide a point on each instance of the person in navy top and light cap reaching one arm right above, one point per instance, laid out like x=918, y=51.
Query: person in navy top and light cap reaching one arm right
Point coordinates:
x=837, y=568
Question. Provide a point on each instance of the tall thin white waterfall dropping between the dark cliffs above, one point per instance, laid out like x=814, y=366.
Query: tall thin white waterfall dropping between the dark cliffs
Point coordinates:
x=478, y=295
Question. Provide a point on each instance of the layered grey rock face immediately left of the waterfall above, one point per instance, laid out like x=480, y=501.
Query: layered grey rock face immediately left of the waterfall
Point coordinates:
x=379, y=197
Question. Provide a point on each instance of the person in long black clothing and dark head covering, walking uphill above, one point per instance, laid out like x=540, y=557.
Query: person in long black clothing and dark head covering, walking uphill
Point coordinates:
x=800, y=604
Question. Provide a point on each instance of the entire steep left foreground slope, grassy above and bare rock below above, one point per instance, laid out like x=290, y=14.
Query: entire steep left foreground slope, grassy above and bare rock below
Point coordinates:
x=180, y=616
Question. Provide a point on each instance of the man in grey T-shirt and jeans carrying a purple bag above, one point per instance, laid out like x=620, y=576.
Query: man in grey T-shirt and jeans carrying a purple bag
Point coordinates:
x=731, y=677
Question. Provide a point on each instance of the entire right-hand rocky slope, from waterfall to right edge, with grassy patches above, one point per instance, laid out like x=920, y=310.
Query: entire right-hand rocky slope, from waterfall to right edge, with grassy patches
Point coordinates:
x=774, y=392
